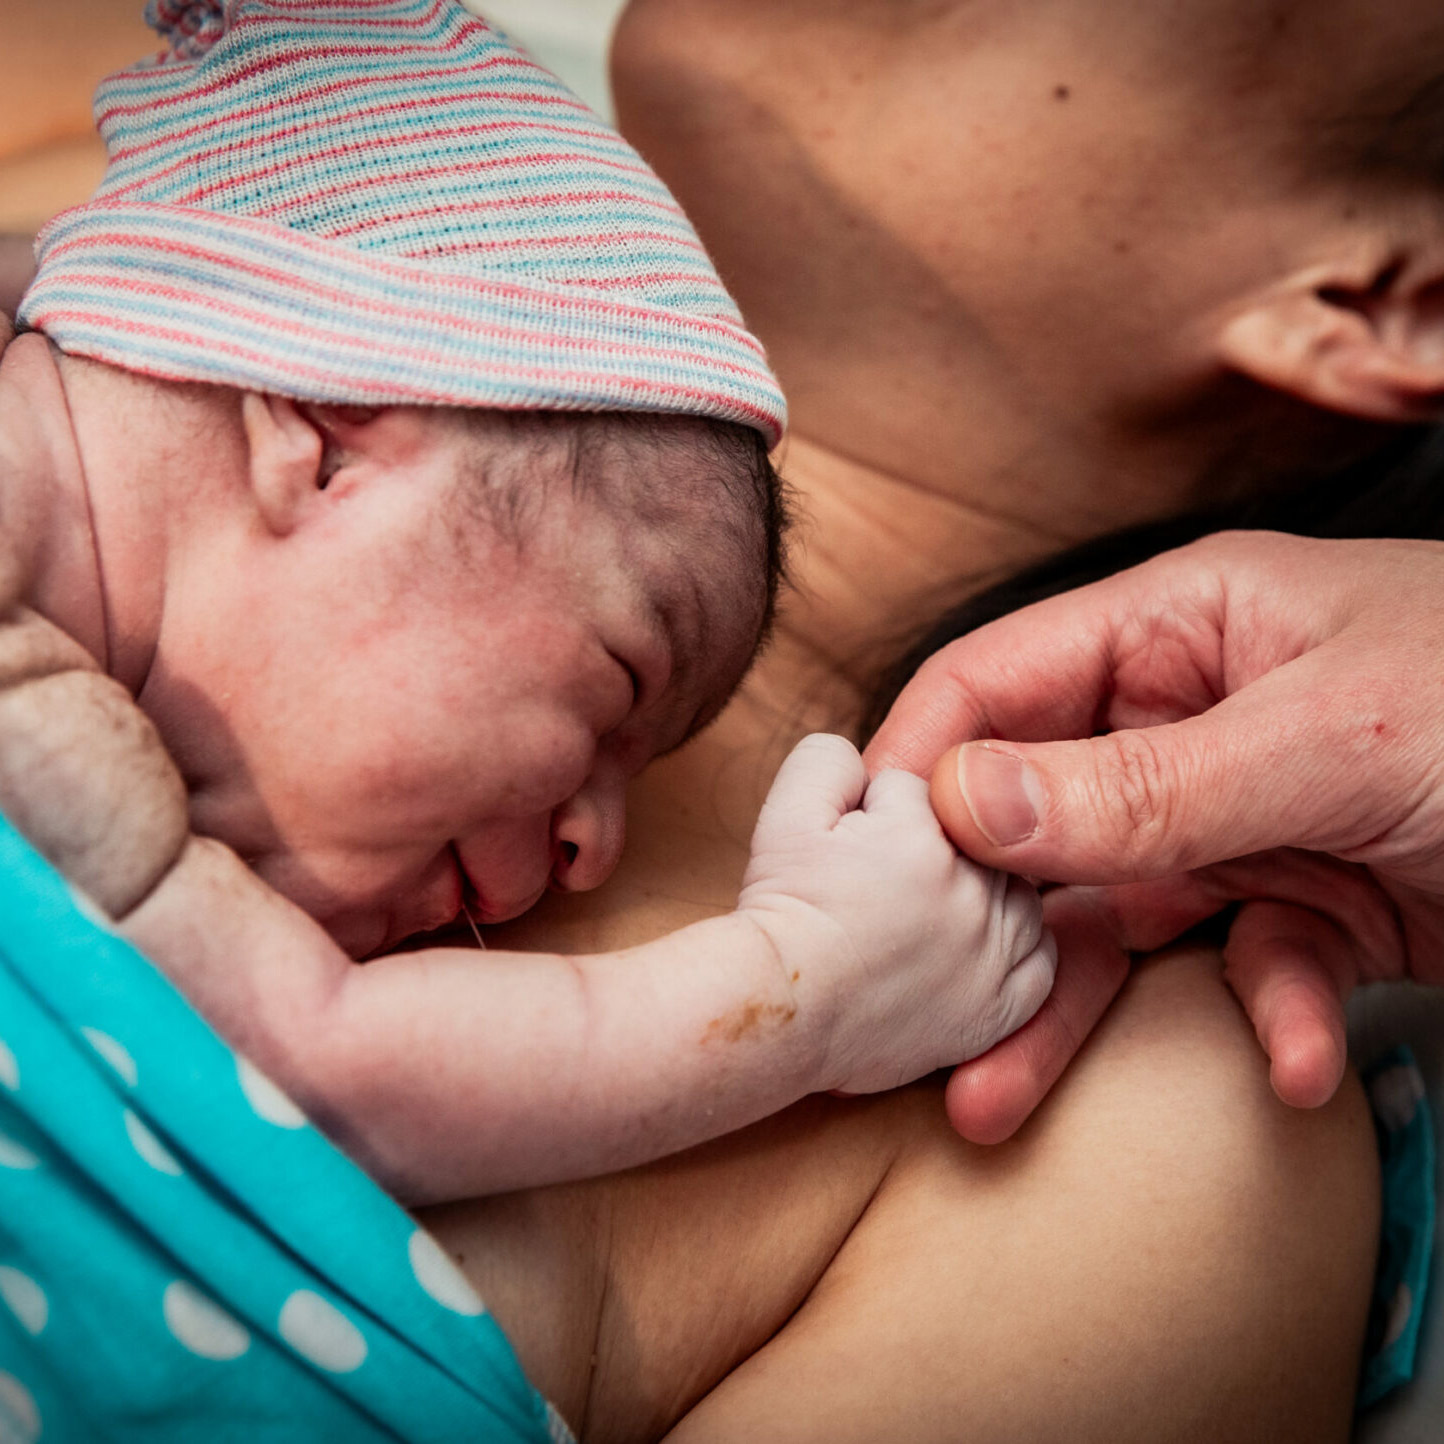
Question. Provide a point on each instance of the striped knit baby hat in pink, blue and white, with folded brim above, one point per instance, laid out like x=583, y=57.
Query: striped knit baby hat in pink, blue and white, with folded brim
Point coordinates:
x=383, y=201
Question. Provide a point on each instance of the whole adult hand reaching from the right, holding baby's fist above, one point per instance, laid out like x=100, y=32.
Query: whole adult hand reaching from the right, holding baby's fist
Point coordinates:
x=1266, y=700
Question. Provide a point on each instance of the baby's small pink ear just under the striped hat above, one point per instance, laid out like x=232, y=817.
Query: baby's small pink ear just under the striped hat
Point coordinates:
x=295, y=450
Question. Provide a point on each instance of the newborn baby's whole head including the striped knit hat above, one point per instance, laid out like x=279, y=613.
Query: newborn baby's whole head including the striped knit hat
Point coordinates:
x=480, y=515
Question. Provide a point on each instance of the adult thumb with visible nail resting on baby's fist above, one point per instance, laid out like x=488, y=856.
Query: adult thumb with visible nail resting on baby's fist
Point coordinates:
x=1260, y=770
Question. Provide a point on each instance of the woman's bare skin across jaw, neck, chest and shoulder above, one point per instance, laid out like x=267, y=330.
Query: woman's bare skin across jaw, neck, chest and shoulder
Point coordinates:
x=853, y=1270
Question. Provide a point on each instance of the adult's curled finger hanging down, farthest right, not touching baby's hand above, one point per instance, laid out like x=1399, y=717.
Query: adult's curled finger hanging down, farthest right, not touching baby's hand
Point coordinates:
x=1292, y=970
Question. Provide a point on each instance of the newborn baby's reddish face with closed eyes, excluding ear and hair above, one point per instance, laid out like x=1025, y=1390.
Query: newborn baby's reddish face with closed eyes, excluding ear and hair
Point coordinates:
x=415, y=714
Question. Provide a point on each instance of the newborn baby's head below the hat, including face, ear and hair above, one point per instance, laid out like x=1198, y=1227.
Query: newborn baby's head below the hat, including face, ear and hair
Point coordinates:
x=412, y=658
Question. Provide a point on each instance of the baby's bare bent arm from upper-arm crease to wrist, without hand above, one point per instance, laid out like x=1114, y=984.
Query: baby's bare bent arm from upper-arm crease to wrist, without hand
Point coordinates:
x=451, y=1072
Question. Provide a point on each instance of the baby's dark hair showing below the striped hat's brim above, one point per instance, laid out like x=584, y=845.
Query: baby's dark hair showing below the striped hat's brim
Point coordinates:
x=616, y=458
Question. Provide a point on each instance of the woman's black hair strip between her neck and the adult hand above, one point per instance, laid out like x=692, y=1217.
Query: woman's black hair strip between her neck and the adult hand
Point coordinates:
x=1396, y=493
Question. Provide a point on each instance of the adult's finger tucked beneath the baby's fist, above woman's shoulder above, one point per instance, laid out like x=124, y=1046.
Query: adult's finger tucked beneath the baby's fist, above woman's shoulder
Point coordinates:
x=990, y=1098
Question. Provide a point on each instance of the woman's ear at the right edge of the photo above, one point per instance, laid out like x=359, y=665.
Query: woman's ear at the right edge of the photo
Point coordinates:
x=1362, y=334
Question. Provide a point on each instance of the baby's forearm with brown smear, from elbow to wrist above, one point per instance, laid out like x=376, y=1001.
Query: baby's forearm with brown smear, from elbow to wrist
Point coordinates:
x=484, y=1072
